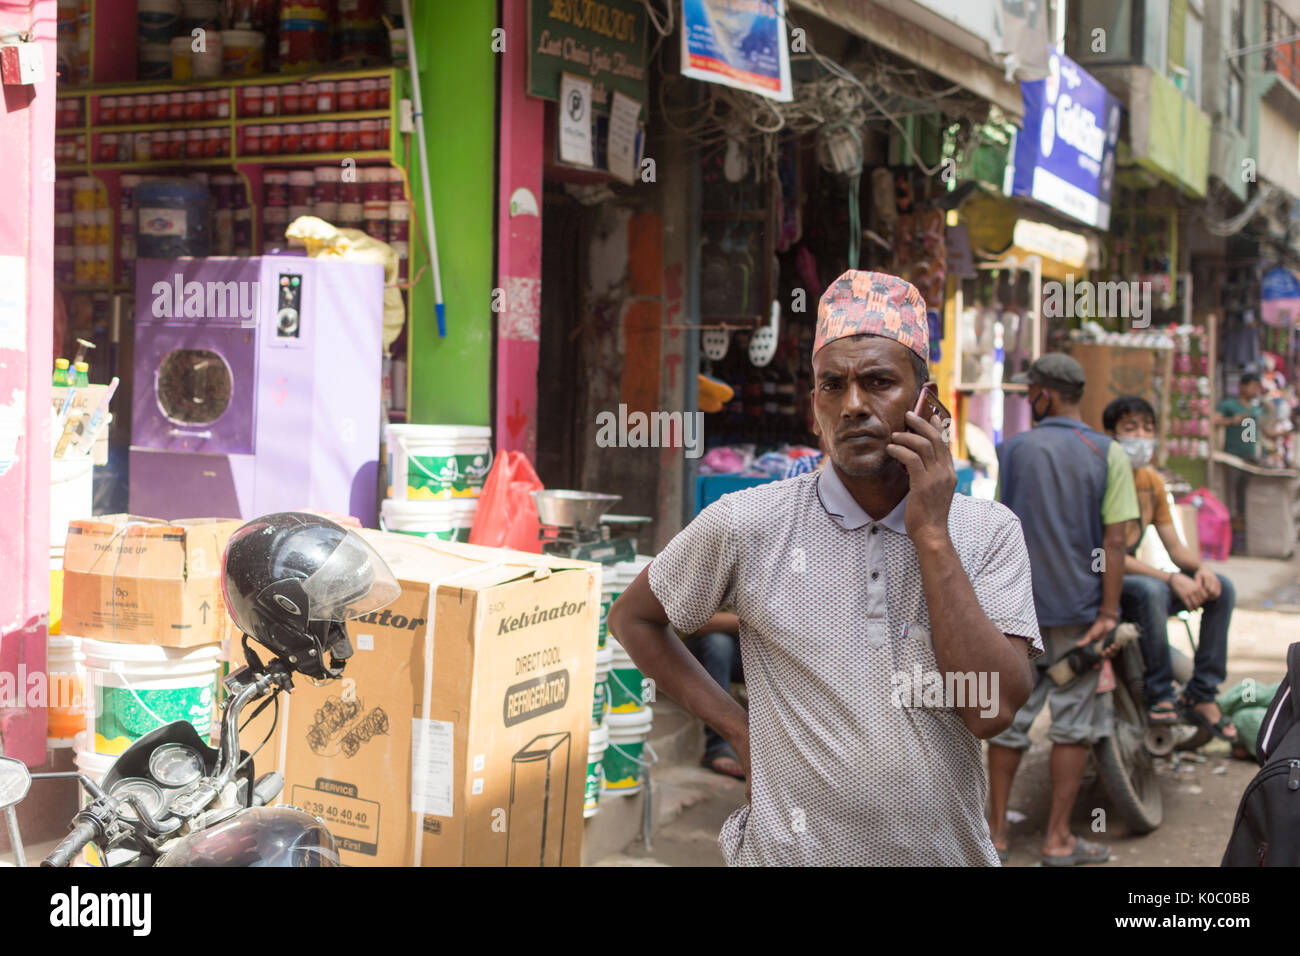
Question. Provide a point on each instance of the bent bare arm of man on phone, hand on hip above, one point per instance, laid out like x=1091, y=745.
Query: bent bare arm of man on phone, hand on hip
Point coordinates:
x=642, y=625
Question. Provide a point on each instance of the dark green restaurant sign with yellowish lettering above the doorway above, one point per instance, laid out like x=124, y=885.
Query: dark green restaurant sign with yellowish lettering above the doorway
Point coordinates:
x=600, y=40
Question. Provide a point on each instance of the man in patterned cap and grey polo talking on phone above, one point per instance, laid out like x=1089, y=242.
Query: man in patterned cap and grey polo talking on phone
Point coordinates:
x=886, y=624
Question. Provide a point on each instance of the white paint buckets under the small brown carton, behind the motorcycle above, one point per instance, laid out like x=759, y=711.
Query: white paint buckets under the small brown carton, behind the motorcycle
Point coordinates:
x=106, y=697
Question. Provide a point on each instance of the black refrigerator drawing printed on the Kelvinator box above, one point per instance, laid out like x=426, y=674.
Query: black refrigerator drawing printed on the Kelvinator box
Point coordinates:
x=539, y=799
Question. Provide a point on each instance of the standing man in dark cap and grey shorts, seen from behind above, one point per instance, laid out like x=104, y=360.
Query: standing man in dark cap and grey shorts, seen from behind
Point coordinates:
x=1073, y=491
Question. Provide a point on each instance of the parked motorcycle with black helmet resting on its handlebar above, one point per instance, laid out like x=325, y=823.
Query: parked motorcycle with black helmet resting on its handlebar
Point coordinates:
x=291, y=582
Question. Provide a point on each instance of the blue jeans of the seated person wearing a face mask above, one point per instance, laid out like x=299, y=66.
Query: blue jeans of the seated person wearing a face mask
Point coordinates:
x=1150, y=603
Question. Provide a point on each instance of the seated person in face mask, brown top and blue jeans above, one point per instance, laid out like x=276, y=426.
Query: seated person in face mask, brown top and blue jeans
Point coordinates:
x=1151, y=596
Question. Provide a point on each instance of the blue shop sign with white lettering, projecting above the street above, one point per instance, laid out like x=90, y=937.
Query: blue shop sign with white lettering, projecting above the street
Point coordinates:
x=1065, y=155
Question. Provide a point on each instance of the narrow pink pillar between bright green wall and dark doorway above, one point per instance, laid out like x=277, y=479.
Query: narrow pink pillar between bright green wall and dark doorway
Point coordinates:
x=519, y=230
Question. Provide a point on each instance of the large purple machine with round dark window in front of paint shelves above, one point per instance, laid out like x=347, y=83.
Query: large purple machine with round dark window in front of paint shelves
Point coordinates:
x=257, y=387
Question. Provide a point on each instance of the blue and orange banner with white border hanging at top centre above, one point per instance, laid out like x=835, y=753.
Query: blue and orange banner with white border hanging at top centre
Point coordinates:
x=746, y=49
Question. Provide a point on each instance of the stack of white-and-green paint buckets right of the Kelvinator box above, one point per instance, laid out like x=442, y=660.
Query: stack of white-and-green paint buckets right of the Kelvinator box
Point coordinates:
x=621, y=720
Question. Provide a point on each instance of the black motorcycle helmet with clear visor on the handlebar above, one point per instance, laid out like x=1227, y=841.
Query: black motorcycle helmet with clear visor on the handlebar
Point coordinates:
x=293, y=579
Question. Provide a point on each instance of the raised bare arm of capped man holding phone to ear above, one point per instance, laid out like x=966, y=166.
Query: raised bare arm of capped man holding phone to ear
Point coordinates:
x=965, y=641
